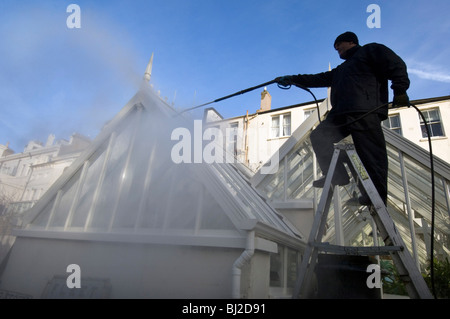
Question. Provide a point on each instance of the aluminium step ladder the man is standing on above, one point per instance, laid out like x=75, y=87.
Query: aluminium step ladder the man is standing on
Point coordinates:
x=394, y=244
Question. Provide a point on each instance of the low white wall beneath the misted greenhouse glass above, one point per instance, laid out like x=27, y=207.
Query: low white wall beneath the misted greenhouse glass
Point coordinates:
x=134, y=270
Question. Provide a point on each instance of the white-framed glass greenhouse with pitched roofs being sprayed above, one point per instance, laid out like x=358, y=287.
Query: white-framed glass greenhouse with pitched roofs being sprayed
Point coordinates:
x=139, y=225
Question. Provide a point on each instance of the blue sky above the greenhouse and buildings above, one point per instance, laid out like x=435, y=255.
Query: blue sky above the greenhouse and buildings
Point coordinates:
x=56, y=80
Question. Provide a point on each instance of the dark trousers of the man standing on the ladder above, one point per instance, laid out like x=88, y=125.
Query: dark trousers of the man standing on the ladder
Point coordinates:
x=368, y=138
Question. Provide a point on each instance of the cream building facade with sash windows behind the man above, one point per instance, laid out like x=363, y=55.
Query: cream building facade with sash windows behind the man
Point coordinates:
x=254, y=138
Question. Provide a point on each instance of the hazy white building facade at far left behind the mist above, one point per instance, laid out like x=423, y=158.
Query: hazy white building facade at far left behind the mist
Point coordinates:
x=26, y=176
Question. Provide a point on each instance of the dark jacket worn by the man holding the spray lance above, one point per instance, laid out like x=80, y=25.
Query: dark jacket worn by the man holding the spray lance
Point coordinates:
x=360, y=84
